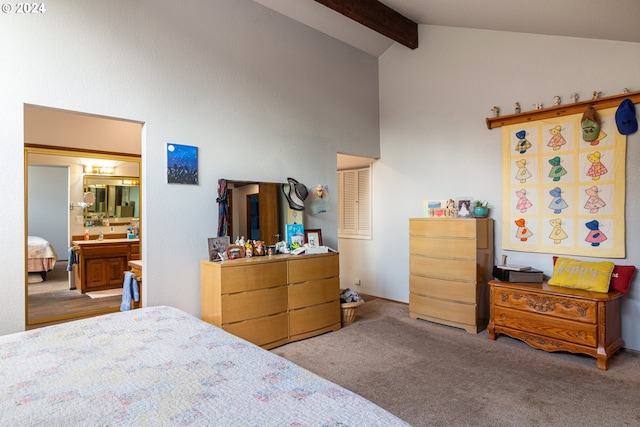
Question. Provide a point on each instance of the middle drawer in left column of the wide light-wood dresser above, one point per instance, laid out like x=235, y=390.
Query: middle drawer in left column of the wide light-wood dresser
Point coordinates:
x=250, y=305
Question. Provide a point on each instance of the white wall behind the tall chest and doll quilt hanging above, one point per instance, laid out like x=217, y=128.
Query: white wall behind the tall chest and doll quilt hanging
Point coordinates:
x=435, y=143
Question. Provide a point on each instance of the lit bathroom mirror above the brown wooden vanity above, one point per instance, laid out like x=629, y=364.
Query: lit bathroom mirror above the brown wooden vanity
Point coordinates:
x=115, y=197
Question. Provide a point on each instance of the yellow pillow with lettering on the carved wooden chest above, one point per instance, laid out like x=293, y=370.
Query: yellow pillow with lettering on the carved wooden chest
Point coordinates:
x=588, y=275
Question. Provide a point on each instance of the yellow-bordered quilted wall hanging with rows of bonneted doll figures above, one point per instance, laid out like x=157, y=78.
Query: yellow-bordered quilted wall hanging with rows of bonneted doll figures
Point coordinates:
x=564, y=185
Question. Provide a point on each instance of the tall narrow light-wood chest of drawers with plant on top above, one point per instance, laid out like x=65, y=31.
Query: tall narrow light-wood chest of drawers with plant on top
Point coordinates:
x=449, y=263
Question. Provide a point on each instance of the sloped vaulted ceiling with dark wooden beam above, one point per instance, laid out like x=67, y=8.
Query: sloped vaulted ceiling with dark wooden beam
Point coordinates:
x=343, y=19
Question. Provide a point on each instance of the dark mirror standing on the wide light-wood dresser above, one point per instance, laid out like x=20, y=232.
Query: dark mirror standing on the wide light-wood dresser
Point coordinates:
x=255, y=210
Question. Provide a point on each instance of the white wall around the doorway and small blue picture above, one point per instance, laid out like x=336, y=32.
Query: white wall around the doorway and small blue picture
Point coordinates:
x=261, y=96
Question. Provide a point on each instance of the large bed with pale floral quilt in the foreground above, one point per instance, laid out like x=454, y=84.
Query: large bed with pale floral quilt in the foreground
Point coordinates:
x=162, y=366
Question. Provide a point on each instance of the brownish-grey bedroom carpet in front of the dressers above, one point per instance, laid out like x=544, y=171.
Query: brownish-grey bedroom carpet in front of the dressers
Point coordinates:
x=429, y=374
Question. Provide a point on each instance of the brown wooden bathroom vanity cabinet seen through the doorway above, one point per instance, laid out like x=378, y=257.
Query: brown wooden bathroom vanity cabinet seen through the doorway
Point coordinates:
x=102, y=263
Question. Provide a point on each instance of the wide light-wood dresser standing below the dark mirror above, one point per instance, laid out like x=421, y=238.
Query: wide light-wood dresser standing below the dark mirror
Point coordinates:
x=272, y=300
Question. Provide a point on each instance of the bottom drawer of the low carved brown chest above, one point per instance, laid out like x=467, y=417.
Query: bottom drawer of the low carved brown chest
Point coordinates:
x=547, y=326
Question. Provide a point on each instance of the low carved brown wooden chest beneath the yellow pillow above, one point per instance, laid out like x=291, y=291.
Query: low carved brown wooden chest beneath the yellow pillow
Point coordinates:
x=552, y=318
